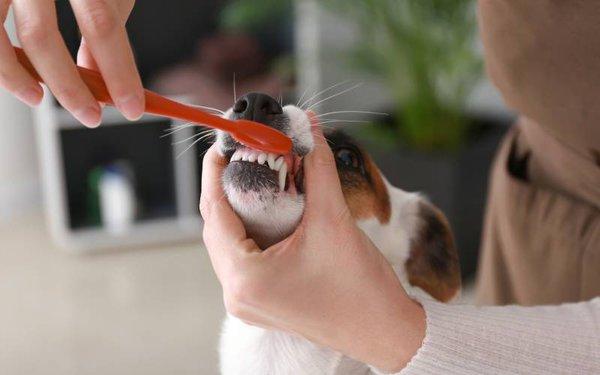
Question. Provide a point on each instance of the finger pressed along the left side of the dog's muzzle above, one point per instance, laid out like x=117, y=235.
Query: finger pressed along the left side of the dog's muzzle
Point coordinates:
x=221, y=225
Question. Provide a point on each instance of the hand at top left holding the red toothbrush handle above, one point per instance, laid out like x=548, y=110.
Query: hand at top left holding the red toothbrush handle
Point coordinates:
x=105, y=47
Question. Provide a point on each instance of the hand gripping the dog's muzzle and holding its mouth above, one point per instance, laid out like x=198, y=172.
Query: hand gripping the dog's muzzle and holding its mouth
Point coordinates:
x=326, y=282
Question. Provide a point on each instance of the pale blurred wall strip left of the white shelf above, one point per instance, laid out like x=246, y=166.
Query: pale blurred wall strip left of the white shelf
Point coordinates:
x=19, y=181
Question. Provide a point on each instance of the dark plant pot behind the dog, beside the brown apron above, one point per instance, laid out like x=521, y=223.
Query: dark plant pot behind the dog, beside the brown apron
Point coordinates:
x=455, y=182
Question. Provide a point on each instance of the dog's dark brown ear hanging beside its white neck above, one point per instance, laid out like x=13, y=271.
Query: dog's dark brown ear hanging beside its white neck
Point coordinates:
x=433, y=264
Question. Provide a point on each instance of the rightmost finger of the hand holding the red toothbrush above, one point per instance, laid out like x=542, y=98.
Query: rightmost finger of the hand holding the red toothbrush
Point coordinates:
x=103, y=29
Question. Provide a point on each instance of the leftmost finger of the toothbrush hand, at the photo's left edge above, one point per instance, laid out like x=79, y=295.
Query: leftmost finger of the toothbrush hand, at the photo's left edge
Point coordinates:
x=13, y=77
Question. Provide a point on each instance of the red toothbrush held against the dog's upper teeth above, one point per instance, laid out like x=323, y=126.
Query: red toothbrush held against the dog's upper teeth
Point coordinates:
x=250, y=133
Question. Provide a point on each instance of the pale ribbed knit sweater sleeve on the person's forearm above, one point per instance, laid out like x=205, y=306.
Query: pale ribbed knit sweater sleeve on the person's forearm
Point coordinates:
x=464, y=339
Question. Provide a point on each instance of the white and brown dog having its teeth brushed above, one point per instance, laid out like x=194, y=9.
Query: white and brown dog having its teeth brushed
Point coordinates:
x=266, y=191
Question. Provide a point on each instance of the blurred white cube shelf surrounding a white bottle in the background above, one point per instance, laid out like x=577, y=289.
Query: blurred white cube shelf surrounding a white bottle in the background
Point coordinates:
x=166, y=186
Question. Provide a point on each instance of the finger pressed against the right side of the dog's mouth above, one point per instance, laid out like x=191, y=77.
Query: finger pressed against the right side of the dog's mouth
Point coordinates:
x=322, y=184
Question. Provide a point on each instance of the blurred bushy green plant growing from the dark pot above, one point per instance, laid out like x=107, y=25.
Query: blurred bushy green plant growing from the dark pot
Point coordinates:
x=424, y=51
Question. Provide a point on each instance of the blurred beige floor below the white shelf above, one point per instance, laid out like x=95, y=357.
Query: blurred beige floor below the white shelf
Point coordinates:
x=154, y=311
